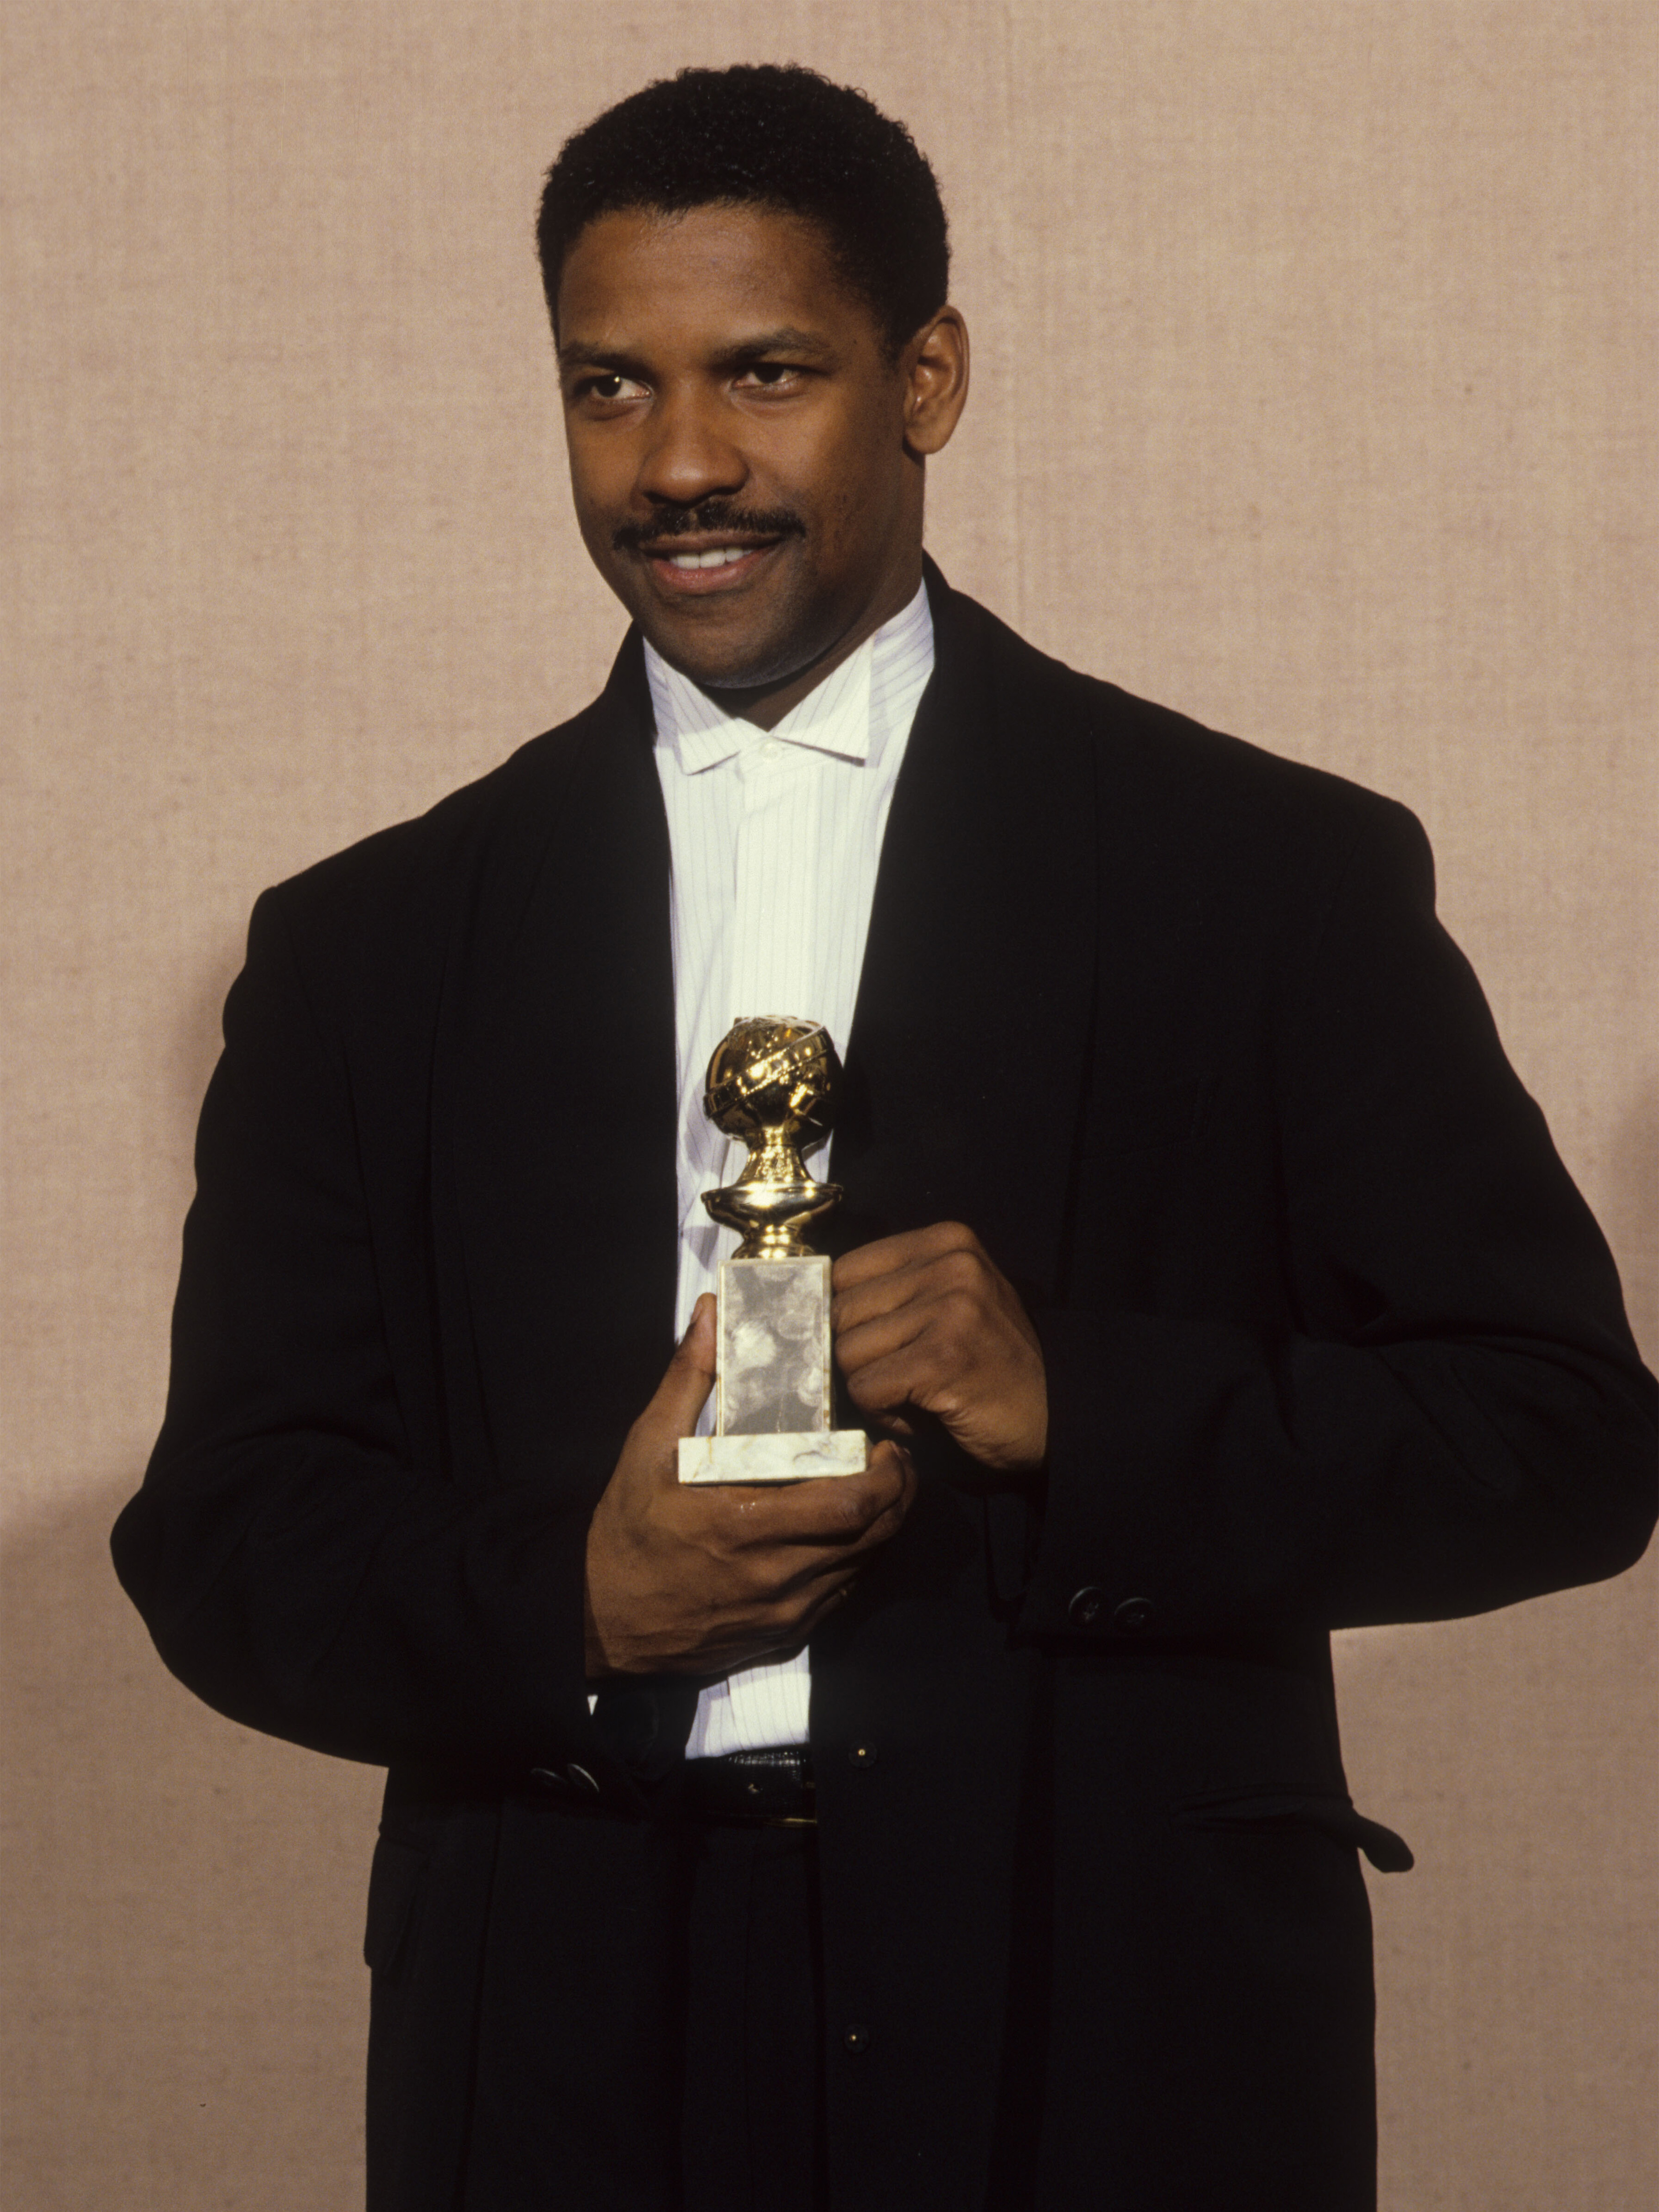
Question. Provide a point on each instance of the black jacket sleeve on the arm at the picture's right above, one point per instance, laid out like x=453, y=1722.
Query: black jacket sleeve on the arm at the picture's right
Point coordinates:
x=1454, y=1415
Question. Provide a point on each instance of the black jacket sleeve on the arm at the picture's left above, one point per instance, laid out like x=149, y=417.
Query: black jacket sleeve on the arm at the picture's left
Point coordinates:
x=295, y=1563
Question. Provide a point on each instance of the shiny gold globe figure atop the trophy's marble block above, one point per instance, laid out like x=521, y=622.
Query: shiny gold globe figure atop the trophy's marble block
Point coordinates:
x=773, y=1083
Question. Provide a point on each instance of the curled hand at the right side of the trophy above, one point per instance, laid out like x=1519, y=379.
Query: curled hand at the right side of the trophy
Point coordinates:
x=928, y=1322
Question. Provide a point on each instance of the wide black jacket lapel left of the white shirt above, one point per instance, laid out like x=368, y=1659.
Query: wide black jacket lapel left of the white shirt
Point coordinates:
x=563, y=1076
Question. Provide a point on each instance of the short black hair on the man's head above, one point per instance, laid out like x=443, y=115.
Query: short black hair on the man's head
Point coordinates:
x=771, y=136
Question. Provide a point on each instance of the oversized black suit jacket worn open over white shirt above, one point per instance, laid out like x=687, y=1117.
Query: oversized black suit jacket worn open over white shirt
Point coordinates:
x=1331, y=1339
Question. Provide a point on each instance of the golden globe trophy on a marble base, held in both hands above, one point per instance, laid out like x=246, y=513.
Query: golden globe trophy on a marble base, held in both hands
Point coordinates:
x=773, y=1085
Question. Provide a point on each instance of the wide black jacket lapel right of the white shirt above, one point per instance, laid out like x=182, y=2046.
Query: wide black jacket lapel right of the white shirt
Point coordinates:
x=972, y=1032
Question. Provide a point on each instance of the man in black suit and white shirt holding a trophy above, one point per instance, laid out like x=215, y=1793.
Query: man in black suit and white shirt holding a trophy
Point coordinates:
x=970, y=1833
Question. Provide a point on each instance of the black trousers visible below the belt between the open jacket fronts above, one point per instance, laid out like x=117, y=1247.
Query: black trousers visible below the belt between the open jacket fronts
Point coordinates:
x=753, y=2114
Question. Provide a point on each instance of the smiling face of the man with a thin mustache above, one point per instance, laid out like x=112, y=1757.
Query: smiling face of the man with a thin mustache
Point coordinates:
x=742, y=448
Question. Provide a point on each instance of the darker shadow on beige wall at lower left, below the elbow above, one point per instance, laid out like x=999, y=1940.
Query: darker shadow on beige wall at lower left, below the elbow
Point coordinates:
x=185, y=1985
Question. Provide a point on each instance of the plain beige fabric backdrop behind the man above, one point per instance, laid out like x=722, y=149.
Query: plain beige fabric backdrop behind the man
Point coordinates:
x=1311, y=399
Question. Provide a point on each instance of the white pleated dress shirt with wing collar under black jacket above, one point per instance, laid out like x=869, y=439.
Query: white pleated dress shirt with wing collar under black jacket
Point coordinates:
x=775, y=839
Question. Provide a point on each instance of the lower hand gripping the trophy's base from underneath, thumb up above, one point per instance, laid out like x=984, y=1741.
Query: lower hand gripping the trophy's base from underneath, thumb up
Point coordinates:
x=709, y=1578
